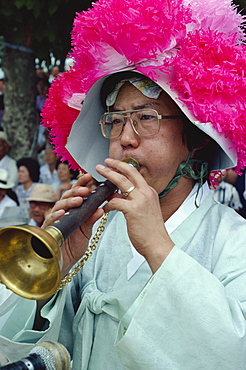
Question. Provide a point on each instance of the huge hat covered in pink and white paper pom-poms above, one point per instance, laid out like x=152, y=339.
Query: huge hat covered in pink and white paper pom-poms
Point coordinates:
x=194, y=50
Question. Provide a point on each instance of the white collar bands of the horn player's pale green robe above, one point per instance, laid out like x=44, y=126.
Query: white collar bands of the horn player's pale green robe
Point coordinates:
x=185, y=209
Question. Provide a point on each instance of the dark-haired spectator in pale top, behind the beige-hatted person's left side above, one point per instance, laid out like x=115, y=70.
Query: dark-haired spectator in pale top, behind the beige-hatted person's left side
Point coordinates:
x=28, y=177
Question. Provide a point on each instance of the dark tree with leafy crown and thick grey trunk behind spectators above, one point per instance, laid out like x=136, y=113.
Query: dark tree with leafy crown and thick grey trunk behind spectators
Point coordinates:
x=30, y=29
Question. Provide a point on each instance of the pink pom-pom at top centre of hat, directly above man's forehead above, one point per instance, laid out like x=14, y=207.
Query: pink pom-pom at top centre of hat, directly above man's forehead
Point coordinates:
x=118, y=34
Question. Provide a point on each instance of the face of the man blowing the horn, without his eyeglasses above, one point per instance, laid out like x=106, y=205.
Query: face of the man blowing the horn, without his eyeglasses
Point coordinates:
x=160, y=155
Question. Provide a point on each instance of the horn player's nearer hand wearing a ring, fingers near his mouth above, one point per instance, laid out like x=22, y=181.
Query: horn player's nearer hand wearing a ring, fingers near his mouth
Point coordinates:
x=141, y=208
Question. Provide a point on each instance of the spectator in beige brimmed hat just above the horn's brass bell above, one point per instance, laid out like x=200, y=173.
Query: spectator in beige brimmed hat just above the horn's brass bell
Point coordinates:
x=41, y=201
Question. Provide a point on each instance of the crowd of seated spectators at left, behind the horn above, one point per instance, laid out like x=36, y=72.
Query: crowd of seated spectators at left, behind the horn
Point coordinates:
x=29, y=187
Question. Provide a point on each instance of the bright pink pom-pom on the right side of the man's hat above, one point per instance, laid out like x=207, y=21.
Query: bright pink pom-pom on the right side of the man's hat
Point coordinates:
x=210, y=78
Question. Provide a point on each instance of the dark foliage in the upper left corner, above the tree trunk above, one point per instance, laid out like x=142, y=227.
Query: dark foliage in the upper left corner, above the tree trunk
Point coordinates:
x=43, y=26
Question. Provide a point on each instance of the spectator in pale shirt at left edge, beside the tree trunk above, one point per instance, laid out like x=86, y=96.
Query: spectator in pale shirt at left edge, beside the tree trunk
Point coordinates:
x=6, y=162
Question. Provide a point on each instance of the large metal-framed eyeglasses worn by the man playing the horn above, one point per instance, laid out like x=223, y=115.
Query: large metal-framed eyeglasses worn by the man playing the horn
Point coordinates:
x=145, y=122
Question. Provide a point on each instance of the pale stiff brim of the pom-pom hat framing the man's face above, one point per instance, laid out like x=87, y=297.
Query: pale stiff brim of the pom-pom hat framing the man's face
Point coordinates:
x=91, y=149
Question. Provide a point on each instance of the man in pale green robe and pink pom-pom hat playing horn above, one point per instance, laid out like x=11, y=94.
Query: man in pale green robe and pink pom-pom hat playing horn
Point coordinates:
x=162, y=82
